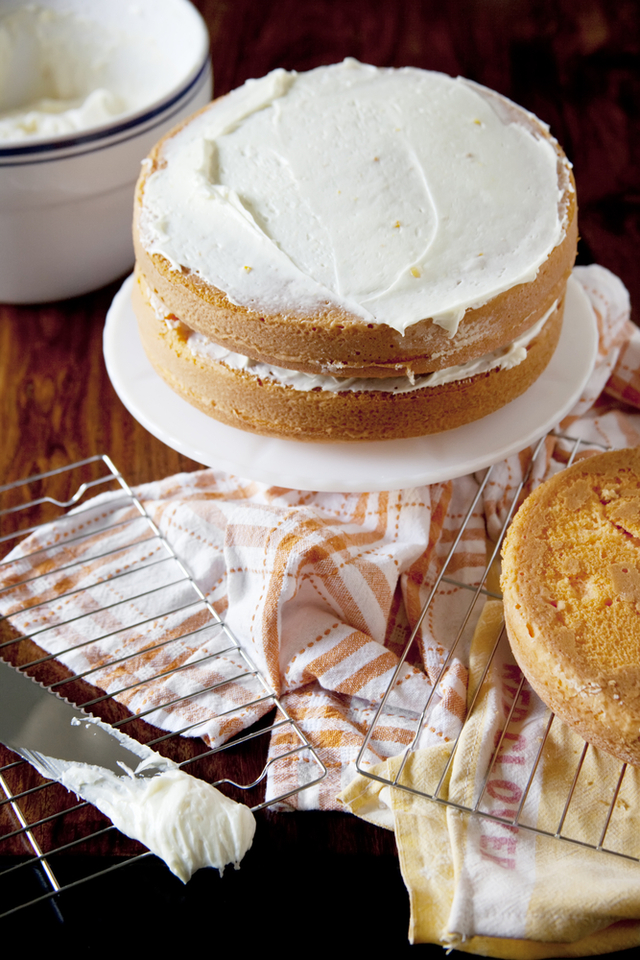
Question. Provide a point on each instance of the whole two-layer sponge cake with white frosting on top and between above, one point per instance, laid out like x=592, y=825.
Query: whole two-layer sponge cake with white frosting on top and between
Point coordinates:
x=355, y=225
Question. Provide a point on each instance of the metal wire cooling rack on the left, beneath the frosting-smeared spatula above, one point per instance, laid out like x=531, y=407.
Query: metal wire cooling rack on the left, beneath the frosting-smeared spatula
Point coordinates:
x=41, y=824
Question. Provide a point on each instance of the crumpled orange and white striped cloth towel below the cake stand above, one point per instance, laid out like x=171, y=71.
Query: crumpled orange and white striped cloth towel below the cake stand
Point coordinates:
x=322, y=589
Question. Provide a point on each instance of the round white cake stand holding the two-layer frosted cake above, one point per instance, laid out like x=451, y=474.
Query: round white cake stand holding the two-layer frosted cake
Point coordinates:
x=380, y=465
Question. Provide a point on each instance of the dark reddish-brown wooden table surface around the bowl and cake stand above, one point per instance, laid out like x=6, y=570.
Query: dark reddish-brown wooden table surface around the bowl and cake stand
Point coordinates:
x=575, y=64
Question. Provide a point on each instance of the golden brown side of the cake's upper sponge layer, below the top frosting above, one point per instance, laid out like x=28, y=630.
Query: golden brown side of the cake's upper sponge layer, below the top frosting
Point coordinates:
x=356, y=348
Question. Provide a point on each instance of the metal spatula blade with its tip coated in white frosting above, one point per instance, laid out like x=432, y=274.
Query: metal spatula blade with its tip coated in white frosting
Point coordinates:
x=185, y=821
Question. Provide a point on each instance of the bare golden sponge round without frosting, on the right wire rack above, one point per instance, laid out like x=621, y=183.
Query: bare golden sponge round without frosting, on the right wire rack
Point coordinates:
x=571, y=586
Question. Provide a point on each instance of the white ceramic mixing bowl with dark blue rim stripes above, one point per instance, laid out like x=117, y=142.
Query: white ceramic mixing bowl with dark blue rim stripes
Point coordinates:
x=66, y=201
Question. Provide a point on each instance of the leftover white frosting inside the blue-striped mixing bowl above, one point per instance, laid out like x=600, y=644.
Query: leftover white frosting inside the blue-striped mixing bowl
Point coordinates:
x=60, y=73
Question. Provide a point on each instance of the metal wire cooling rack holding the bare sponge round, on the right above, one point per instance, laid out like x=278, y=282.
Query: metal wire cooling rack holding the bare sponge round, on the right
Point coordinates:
x=583, y=809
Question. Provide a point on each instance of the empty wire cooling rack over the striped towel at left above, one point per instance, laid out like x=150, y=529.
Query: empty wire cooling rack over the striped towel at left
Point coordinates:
x=41, y=824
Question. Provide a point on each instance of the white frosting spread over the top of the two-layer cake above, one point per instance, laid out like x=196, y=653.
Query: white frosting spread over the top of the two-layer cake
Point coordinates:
x=394, y=194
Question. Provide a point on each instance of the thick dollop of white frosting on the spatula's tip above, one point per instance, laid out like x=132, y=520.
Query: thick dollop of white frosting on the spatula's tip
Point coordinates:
x=183, y=820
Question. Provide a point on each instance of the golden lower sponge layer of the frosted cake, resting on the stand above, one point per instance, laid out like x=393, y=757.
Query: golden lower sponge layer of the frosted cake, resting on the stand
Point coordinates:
x=237, y=398
